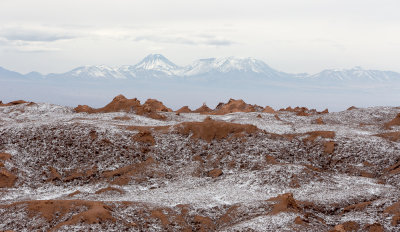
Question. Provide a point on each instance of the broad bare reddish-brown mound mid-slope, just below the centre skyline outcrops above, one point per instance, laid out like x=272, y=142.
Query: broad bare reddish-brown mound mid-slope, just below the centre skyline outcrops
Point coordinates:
x=210, y=129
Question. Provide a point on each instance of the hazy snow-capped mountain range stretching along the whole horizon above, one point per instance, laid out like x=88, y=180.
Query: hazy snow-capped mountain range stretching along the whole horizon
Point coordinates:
x=158, y=66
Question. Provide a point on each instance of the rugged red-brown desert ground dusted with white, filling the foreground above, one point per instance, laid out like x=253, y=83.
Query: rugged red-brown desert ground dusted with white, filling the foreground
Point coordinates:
x=143, y=167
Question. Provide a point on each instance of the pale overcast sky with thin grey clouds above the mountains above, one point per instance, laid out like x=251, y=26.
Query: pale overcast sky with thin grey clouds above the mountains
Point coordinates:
x=290, y=35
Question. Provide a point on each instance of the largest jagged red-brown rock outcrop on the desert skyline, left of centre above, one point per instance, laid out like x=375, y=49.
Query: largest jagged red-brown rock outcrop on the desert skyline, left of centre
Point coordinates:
x=120, y=103
